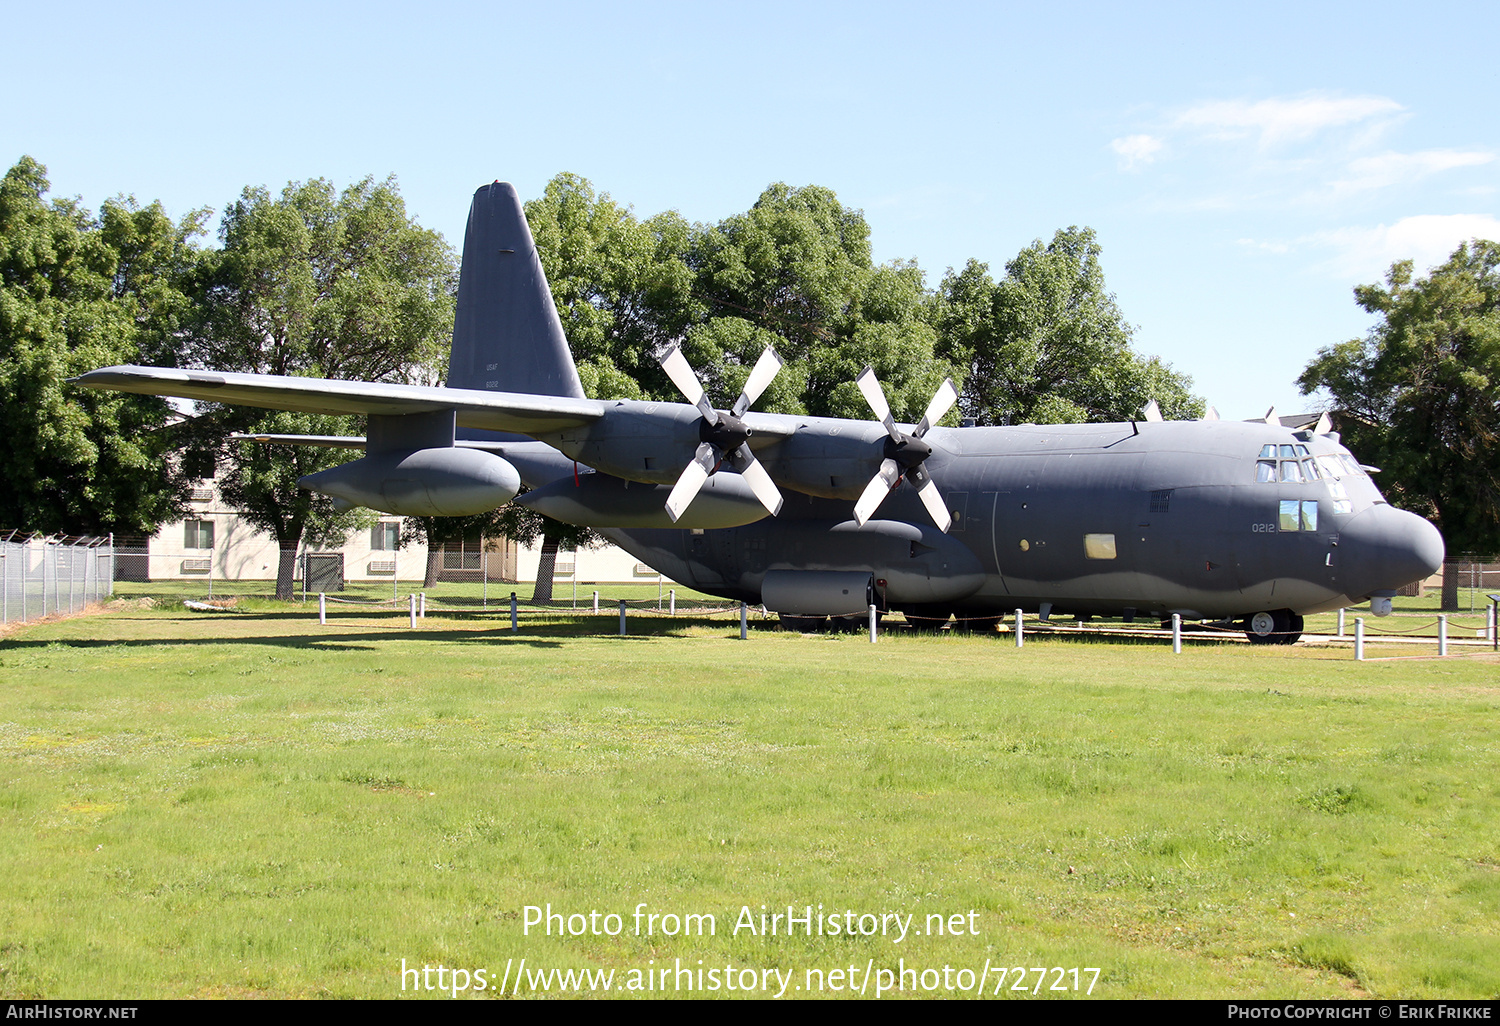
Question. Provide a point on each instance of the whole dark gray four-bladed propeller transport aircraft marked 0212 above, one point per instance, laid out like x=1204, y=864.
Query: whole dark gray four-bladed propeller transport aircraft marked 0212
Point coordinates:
x=1243, y=523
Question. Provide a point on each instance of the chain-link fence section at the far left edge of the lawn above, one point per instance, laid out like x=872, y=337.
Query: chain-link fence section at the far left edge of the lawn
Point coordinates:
x=43, y=577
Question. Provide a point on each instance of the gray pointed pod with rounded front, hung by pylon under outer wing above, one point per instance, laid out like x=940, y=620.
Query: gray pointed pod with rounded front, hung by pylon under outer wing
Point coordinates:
x=427, y=482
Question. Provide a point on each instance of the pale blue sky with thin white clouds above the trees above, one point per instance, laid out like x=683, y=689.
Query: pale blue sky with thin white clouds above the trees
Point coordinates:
x=1243, y=166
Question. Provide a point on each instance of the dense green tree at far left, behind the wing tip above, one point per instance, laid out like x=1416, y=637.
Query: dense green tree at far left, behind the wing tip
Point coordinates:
x=80, y=293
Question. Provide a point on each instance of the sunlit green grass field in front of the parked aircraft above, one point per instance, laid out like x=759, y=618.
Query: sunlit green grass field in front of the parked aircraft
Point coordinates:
x=251, y=805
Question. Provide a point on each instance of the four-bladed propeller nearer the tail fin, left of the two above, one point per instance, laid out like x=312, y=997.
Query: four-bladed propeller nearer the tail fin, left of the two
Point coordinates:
x=724, y=434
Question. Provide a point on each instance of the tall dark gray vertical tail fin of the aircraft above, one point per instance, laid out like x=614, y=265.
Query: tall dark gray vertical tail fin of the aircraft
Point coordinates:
x=506, y=334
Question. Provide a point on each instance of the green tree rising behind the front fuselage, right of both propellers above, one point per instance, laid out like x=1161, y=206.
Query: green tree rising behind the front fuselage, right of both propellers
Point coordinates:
x=1048, y=344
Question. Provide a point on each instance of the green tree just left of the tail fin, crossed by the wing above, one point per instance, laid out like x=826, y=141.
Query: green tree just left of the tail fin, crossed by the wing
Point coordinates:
x=320, y=284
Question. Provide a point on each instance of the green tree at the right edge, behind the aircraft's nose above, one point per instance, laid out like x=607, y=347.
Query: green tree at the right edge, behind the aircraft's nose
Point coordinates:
x=1420, y=395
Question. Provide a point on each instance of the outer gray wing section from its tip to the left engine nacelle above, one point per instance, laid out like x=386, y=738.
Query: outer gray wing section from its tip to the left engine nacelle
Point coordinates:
x=488, y=410
